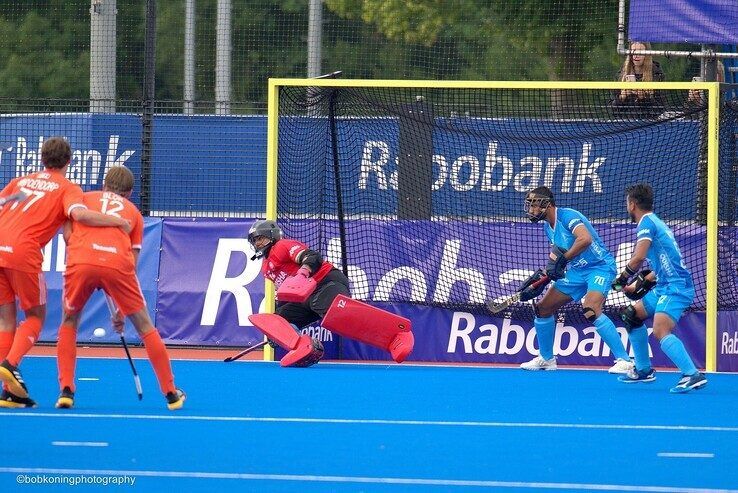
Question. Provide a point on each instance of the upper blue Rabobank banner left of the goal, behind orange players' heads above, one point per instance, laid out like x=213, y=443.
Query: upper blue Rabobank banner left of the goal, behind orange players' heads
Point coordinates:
x=202, y=163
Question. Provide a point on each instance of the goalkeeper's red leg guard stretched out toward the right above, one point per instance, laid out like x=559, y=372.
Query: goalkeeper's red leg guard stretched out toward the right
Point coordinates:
x=351, y=318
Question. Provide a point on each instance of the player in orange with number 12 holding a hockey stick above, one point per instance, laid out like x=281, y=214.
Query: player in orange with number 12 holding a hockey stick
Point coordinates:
x=105, y=258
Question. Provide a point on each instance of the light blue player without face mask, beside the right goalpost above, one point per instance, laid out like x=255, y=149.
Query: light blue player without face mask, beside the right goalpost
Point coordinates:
x=673, y=292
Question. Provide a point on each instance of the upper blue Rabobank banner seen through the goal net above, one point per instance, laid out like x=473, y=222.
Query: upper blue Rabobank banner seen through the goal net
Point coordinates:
x=483, y=167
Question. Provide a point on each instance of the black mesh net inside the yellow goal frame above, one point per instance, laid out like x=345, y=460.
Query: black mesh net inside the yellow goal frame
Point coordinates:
x=419, y=192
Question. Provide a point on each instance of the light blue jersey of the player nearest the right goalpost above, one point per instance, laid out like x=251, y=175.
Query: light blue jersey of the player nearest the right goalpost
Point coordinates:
x=664, y=255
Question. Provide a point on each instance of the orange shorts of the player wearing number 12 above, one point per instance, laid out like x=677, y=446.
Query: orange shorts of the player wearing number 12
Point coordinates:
x=81, y=280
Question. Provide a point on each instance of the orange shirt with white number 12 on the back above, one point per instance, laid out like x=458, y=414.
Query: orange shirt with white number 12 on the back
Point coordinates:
x=107, y=247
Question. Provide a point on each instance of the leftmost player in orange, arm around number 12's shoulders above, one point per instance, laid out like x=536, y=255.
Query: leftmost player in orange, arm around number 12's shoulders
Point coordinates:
x=25, y=227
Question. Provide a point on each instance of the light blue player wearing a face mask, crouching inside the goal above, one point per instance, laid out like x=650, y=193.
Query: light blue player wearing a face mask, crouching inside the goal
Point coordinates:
x=591, y=268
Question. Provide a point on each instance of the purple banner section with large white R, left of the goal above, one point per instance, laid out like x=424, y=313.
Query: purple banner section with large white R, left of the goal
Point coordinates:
x=208, y=286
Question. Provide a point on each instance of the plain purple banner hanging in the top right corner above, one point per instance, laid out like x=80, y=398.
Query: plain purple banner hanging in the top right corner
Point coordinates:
x=684, y=21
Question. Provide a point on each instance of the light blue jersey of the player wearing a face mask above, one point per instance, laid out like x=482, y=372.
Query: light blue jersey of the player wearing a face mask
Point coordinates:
x=562, y=235
